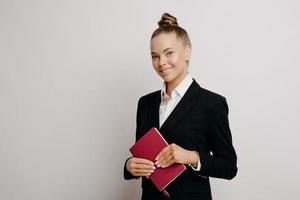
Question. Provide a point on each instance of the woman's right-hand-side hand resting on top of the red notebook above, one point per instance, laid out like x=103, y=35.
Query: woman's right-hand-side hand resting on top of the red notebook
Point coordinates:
x=175, y=154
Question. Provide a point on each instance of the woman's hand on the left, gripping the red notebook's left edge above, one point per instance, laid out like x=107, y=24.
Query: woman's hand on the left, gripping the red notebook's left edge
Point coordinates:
x=140, y=167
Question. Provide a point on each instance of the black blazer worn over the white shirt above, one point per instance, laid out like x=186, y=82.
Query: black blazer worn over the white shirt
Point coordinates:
x=199, y=122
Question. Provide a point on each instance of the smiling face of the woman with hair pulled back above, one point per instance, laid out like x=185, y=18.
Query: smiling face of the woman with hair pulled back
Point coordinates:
x=169, y=57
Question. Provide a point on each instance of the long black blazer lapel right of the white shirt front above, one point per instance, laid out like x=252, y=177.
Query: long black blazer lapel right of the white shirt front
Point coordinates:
x=184, y=105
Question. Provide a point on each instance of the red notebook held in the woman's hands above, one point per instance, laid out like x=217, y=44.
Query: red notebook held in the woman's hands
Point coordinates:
x=148, y=147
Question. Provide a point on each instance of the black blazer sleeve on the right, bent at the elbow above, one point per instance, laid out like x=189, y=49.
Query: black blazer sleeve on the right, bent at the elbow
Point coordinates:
x=221, y=162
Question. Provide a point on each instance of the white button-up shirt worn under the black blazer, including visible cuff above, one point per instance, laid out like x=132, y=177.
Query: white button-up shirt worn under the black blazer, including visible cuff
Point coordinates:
x=168, y=104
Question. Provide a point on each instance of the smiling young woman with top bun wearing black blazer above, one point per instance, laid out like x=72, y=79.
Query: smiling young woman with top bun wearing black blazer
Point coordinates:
x=193, y=120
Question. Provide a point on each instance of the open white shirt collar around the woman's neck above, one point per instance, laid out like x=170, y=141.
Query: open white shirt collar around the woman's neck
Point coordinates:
x=180, y=90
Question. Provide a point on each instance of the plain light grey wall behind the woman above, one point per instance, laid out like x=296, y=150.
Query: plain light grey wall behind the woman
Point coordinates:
x=71, y=73
